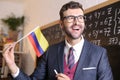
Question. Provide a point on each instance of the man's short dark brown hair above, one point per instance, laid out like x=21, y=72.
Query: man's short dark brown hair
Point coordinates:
x=69, y=5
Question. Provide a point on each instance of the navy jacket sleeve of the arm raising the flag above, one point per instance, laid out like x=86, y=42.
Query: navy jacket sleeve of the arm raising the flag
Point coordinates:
x=38, y=74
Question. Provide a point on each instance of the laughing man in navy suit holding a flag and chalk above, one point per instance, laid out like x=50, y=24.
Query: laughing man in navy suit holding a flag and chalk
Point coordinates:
x=87, y=61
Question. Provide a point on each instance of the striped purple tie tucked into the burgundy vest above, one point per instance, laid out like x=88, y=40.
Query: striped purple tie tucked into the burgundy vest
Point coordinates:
x=71, y=59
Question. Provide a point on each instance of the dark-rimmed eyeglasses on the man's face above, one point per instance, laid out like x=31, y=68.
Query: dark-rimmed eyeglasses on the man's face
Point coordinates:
x=70, y=19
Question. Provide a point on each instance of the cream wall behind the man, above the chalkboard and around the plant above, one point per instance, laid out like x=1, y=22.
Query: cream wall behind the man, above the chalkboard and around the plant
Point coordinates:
x=37, y=12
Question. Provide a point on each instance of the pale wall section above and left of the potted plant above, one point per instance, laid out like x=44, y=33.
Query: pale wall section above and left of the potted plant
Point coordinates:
x=8, y=8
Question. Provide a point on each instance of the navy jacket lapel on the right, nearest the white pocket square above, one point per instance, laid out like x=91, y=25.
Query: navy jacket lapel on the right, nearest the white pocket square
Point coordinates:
x=82, y=58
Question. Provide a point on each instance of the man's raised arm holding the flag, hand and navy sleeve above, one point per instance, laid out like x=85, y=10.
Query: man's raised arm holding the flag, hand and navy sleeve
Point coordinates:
x=8, y=55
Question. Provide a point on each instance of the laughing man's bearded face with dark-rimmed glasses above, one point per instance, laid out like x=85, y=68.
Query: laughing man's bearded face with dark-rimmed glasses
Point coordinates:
x=73, y=23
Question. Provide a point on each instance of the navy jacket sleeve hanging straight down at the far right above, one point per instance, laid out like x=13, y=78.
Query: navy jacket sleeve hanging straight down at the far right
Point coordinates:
x=104, y=69
